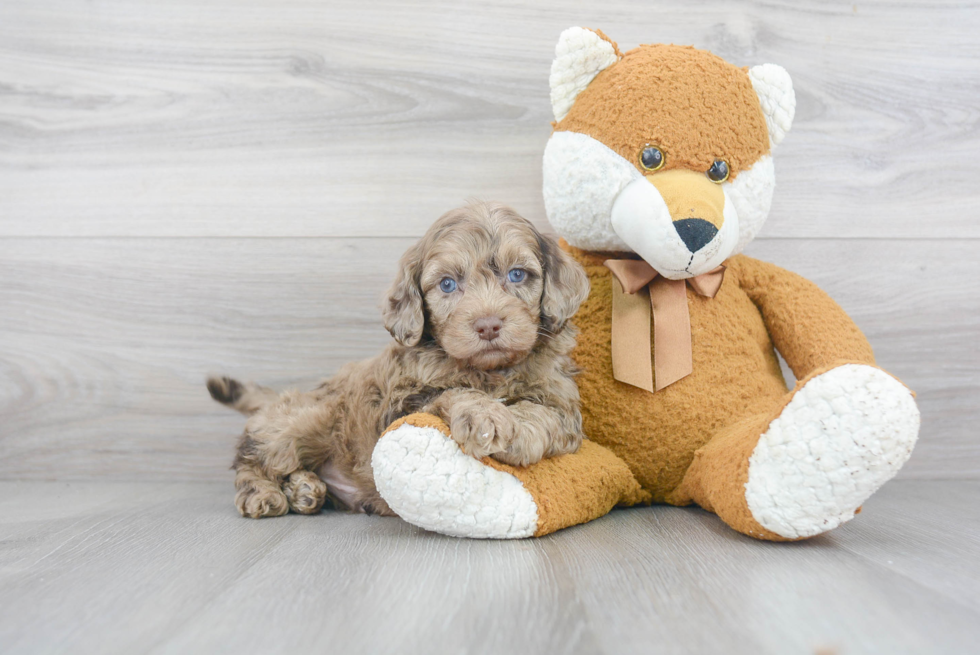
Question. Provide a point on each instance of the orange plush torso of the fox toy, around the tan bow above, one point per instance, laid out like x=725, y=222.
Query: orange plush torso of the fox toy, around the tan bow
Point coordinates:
x=657, y=434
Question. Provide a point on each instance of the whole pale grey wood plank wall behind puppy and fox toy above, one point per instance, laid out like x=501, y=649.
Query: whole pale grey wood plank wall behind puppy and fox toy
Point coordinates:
x=202, y=185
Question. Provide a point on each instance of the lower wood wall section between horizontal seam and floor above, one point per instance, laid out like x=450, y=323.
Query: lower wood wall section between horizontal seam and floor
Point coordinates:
x=106, y=342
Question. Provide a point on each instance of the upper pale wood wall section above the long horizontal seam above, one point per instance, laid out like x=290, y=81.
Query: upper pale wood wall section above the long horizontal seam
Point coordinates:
x=207, y=117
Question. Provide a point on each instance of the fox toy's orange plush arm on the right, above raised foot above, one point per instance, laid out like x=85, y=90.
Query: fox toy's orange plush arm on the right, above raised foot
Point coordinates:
x=809, y=329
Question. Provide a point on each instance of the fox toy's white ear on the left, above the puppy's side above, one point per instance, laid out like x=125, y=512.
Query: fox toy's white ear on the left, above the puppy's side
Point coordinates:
x=580, y=55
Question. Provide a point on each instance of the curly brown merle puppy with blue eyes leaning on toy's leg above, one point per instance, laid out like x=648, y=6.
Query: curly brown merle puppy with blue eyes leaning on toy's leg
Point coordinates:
x=480, y=314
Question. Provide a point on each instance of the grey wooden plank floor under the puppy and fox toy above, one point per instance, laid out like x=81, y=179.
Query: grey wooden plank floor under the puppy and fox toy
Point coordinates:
x=171, y=568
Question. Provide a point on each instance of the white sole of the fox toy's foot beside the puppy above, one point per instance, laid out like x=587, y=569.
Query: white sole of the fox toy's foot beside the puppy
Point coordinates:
x=428, y=481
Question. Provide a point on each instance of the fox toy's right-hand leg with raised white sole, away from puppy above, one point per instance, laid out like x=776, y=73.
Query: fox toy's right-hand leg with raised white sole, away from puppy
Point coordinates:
x=806, y=467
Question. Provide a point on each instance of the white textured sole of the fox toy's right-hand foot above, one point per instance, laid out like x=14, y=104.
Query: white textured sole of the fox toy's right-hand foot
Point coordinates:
x=842, y=436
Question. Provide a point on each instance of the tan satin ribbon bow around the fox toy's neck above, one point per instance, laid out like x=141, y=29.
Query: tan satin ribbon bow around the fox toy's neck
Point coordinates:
x=633, y=281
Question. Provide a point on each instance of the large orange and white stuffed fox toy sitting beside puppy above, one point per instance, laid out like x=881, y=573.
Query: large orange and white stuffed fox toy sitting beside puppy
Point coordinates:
x=657, y=175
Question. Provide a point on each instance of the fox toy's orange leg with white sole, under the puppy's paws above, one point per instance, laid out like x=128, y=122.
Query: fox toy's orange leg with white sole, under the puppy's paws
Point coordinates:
x=425, y=477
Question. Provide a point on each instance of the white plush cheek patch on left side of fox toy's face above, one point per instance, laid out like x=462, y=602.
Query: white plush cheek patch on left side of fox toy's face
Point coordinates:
x=582, y=178
